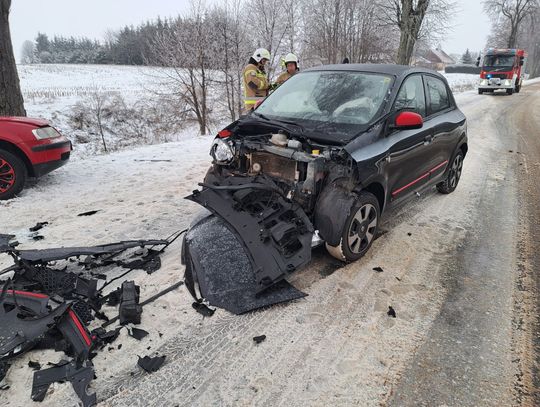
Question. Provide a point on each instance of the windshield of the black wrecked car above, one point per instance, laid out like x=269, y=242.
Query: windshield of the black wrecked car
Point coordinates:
x=340, y=99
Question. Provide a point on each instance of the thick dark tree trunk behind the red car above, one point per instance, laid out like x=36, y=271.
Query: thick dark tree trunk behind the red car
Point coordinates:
x=11, y=100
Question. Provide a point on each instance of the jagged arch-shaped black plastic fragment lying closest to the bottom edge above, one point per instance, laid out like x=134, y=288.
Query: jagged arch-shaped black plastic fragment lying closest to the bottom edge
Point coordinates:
x=78, y=375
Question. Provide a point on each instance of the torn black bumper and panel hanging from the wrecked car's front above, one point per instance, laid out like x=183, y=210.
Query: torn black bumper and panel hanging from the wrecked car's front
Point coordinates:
x=239, y=257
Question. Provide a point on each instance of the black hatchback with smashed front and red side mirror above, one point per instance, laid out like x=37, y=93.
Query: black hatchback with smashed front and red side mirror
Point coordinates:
x=325, y=154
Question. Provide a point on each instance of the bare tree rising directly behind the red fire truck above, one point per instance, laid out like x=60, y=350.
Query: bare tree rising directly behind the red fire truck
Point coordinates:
x=514, y=12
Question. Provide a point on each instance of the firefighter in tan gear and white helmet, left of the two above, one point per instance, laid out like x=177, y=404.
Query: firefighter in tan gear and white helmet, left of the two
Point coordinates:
x=256, y=83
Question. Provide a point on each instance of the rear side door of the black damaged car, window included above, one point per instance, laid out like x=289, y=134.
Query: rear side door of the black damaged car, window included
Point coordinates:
x=443, y=122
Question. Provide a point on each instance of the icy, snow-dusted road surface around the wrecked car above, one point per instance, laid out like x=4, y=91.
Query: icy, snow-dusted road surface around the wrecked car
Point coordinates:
x=457, y=271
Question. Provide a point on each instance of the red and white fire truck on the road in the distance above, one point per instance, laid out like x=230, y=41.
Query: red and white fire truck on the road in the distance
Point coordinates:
x=502, y=69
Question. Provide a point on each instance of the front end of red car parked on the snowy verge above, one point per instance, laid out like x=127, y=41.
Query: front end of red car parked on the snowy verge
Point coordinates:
x=28, y=148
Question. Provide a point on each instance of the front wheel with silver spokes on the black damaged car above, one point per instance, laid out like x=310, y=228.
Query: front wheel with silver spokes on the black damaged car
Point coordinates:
x=359, y=230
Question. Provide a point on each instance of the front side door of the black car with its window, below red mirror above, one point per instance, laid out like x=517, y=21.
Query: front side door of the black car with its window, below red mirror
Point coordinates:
x=408, y=157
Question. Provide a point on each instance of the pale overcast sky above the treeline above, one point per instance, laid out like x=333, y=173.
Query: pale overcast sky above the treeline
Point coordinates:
x=93, y=18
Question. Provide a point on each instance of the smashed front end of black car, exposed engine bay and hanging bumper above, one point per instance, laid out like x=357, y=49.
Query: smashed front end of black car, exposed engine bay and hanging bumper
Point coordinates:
x=267, y=191
